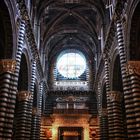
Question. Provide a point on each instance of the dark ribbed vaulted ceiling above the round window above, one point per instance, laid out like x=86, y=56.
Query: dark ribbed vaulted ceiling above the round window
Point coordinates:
x=70, y=24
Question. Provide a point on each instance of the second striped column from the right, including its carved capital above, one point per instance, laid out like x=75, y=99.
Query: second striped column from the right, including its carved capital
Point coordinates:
x=115, y=117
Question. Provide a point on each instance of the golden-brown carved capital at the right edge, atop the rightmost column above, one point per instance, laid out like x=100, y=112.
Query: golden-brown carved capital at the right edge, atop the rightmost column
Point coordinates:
x=133, y=67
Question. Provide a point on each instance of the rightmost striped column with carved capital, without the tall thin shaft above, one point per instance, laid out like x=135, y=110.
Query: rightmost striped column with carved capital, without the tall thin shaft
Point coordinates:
x=133, y=104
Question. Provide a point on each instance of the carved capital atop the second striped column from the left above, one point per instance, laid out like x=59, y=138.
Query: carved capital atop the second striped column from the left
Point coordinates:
x=24, y=95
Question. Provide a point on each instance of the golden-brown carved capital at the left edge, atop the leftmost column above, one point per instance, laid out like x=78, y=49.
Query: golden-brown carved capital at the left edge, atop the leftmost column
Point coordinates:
x=7, y=65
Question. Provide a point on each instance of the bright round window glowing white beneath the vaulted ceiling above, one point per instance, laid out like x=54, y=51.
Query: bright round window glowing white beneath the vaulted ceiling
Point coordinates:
x=71, y=65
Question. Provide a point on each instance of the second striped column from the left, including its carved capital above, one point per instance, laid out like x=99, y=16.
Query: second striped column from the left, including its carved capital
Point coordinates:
x=23, y=115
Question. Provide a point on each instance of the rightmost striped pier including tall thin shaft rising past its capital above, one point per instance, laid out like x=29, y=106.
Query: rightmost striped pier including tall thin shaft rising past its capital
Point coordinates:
x=131, y=88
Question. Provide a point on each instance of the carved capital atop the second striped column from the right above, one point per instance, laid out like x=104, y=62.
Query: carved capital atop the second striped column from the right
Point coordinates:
x=115, y=96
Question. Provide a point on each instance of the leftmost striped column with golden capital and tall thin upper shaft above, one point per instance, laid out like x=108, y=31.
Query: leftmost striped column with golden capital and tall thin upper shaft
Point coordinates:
x=8, y=87
